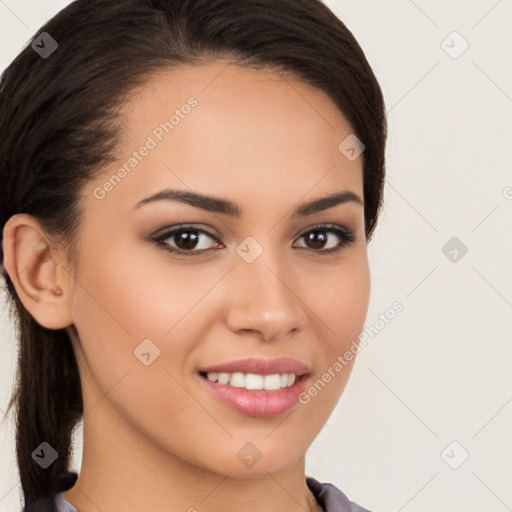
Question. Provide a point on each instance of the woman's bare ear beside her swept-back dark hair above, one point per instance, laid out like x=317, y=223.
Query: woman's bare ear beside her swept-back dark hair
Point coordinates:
x=35, y=267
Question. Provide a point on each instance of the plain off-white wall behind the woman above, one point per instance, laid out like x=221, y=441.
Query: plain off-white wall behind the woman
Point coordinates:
x=440, y=371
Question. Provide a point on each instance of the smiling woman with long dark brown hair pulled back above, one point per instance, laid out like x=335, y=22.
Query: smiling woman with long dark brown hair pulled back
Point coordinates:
x=190, y=187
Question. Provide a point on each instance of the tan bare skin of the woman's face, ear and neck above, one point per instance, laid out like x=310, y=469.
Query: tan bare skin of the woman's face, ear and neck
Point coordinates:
x=154, y=437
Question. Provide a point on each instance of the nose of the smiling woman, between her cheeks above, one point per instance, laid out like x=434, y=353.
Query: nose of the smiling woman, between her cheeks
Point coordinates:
x=265, y=299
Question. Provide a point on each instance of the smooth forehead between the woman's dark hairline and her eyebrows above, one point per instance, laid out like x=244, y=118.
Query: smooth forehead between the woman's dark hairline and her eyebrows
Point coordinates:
x=231, y=131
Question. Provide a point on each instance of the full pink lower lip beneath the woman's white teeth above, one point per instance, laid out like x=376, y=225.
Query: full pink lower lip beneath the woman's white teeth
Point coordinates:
x=260, y=402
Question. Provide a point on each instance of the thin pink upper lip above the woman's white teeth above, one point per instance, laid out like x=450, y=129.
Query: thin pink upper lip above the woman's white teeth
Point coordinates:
x=260, y=366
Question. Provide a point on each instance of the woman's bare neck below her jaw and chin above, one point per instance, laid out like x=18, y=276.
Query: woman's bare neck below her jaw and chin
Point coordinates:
x=147, y=477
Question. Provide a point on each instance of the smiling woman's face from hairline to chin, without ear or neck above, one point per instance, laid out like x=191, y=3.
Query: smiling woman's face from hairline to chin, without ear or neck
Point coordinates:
x=150, y=316
